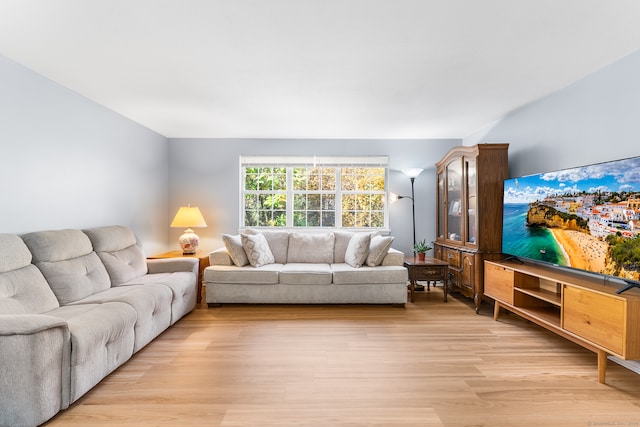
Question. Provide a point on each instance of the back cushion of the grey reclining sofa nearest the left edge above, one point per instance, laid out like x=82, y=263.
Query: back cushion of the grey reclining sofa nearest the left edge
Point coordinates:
x=23, y=288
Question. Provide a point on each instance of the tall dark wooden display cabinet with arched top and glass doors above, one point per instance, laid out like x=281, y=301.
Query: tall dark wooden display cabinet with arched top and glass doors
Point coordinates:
x=469, y=213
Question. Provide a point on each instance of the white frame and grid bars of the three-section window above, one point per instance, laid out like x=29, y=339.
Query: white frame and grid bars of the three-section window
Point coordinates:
x=291, y=162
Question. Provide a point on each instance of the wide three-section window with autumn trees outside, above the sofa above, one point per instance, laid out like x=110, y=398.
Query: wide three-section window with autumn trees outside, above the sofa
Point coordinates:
x=343, y=192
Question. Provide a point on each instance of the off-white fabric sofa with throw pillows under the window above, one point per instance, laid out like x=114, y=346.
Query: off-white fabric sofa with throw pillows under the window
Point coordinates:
x=335, y=267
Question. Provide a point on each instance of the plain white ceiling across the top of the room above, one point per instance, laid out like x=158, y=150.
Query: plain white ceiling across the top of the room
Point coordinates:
x=317, y=68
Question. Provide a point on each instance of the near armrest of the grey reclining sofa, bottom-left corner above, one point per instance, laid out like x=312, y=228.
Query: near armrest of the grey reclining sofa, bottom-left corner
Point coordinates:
x=35, y=378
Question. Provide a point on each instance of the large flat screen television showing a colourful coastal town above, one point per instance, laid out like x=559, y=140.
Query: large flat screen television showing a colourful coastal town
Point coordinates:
x=585, y=218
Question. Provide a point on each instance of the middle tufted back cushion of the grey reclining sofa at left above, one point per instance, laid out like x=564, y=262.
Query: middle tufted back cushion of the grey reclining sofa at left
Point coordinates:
x=68, y=262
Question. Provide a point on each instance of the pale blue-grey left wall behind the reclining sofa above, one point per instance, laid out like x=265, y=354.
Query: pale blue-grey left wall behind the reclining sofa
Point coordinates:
x=67, y=162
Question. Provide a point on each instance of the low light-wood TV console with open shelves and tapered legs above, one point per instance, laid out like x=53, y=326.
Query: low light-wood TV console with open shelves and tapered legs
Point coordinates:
x=583, y=309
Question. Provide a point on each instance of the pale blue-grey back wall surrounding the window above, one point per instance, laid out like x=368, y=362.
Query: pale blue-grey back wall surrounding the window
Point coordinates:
x=205, y=172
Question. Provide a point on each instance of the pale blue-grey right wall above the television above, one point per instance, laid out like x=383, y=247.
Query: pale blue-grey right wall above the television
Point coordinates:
x=593, y=120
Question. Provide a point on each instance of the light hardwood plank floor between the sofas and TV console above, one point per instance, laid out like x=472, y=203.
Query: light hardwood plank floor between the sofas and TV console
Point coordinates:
x=429, y=364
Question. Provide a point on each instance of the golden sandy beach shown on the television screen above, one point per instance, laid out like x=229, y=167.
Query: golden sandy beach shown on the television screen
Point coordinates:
x=584, y=251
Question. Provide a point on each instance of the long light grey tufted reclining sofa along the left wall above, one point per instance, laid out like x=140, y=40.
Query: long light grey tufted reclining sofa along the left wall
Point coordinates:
x=75, y=305
